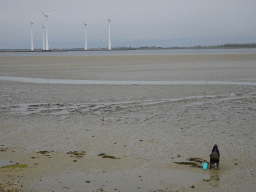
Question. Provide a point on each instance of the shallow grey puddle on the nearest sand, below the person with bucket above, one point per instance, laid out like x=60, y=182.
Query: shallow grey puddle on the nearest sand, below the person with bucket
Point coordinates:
x=140, y=179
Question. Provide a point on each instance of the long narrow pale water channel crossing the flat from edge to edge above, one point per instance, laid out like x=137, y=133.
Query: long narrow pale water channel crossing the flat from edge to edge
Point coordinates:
x=102, y=82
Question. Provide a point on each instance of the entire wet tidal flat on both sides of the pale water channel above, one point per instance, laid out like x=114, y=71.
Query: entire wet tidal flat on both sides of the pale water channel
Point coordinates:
x=146, y=127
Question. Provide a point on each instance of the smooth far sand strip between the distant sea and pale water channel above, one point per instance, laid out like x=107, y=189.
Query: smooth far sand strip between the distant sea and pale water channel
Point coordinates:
x=134, y=68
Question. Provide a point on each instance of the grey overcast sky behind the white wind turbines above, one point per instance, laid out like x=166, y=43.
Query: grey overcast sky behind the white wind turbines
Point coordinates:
x=135, y=23
